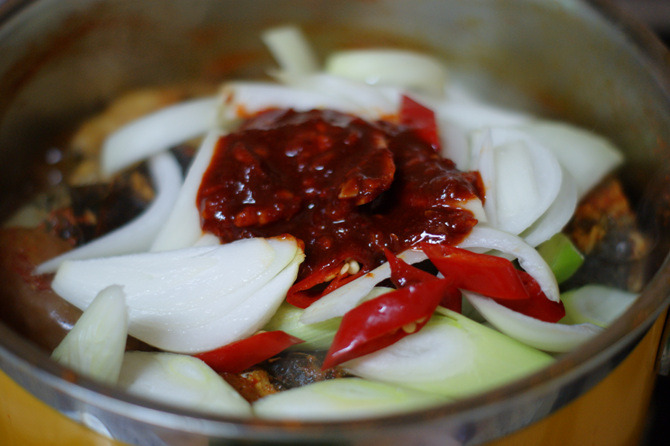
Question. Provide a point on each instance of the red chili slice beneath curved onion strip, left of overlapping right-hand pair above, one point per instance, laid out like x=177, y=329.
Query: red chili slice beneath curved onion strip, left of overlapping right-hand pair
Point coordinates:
x=485, y=274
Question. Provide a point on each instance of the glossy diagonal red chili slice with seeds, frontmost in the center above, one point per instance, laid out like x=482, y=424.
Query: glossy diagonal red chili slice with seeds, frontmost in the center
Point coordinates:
x=382, y=321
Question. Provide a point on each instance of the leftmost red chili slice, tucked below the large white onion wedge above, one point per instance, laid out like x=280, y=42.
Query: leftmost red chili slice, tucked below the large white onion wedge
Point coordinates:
x=240, y=355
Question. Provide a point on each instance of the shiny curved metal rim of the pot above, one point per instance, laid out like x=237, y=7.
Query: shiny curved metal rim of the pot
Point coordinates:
x=32, y=365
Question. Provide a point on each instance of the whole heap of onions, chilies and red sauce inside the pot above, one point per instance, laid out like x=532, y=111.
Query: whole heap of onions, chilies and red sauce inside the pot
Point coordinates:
x=342, y=241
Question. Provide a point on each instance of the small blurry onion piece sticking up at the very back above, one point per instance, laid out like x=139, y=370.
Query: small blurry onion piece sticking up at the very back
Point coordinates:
x=290, y=49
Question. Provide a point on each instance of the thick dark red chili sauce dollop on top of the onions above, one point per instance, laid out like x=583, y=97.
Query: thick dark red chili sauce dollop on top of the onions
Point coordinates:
x=346, y=187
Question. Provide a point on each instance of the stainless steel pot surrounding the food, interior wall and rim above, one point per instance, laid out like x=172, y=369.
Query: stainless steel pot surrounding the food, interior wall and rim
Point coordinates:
x=582, y=61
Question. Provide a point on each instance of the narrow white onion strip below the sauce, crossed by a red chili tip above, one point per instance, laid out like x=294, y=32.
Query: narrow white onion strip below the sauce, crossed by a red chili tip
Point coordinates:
x=346, y=297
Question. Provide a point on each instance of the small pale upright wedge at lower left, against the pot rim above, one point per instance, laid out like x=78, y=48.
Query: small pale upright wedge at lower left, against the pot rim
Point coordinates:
x=95, y=345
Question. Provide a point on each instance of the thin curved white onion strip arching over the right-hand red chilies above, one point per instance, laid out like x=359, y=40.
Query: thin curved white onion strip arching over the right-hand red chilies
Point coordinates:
x=529, y=259
